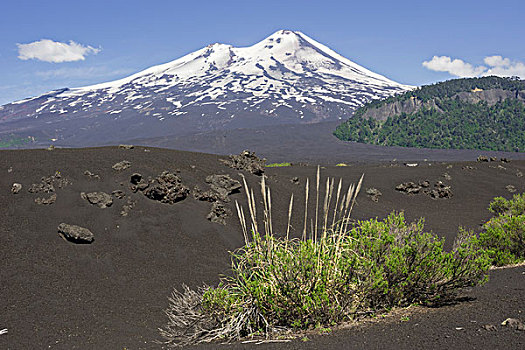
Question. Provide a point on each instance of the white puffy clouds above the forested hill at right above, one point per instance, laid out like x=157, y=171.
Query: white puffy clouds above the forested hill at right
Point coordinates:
x=497, y=65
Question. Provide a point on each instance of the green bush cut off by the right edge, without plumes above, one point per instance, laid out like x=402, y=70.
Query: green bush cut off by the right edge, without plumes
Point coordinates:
x=504, y=235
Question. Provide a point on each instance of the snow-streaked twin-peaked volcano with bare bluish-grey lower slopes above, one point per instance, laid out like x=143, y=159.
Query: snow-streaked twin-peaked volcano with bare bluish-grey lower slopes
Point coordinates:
x=286, y=78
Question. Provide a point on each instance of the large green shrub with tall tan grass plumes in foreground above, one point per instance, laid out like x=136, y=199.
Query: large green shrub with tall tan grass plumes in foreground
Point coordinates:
x=336, y=271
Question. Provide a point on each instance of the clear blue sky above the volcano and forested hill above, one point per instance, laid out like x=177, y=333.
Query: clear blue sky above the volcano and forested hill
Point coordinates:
x=393, y=38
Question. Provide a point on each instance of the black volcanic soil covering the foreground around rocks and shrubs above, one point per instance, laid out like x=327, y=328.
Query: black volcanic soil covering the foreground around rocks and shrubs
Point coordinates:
x=111, y=294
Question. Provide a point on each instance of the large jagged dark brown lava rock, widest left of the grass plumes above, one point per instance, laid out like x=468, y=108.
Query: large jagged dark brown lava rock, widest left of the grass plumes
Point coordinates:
x=165, y=188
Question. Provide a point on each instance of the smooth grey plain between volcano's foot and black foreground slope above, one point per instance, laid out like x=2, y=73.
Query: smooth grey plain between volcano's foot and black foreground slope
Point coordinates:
x=305, y=143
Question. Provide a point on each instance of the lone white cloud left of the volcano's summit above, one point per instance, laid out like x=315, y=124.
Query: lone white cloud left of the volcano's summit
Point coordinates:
x=52, y=51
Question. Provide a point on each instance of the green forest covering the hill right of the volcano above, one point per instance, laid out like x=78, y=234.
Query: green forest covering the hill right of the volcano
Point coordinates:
x=458, y=124
